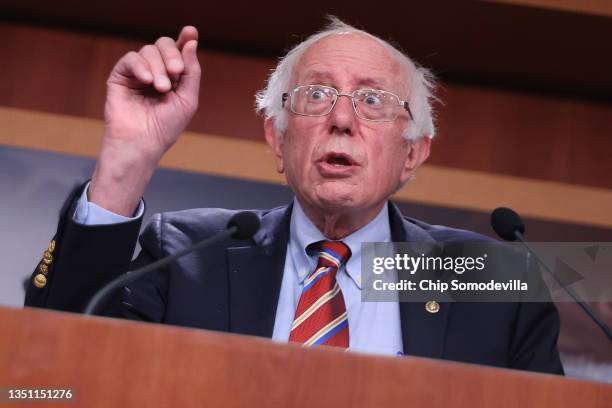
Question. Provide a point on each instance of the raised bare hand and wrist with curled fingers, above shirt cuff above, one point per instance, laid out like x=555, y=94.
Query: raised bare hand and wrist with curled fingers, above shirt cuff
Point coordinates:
x=151, y=96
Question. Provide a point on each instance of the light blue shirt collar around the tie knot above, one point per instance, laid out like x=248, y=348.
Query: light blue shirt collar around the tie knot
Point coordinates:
x=303, y=233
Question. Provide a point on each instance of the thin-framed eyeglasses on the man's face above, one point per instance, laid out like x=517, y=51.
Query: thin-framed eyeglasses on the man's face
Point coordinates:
x=369, y=104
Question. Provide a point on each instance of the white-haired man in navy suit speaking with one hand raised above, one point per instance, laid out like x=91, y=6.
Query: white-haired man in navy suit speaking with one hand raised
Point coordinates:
x=349, y=120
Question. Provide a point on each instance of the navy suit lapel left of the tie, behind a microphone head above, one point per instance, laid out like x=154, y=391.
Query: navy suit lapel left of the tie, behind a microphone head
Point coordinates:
x=255, y=274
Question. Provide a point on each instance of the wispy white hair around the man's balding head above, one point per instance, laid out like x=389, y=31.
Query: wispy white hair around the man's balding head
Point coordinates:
x=421, y=83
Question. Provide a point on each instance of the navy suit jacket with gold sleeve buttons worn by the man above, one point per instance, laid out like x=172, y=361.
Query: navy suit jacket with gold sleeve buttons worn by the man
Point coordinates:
x=233, y=286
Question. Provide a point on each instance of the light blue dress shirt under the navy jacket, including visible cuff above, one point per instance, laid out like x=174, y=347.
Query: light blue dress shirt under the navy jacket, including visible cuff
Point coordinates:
x=374, y=327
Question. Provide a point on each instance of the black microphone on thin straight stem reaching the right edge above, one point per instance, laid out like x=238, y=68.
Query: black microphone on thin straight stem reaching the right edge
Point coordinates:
x=509, y=226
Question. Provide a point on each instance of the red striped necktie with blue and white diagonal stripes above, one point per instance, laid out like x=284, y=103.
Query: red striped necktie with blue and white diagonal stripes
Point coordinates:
x=320, y=318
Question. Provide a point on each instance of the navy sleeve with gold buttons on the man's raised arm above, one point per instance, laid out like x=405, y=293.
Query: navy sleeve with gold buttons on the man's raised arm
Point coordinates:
x=80, y=260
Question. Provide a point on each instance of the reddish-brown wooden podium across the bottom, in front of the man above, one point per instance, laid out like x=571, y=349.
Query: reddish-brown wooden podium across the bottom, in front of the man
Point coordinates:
x=117, y=363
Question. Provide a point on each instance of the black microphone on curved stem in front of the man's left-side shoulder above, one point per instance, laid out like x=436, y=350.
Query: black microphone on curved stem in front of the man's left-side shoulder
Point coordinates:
x=242, y=225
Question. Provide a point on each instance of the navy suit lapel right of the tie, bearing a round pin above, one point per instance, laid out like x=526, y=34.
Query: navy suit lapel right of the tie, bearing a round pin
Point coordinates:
x=422, y=332
